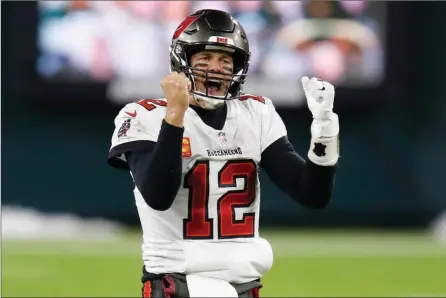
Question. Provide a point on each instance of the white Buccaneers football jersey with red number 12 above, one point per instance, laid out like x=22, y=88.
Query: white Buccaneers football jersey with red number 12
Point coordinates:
x=212, y=227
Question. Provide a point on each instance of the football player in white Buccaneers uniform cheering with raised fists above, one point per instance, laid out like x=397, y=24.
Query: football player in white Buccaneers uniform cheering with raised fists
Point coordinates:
x=194, y=157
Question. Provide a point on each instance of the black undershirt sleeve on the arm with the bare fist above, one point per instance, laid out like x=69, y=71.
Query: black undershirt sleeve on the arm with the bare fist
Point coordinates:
x=157, y=168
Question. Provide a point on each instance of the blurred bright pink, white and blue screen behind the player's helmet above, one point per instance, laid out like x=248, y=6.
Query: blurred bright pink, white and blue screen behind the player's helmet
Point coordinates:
x=338, y=41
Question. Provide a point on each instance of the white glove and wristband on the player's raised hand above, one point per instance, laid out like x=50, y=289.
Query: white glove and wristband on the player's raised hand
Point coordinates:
x=324, y=147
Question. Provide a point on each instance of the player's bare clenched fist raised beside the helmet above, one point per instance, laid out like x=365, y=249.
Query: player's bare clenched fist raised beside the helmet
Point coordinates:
x=176, y=89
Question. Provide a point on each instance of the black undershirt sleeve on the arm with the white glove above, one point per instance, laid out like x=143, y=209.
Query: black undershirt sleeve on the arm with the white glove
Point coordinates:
x=307, y=183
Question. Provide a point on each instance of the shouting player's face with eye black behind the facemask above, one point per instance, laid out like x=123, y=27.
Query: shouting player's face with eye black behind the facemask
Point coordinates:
x=219, y=62
